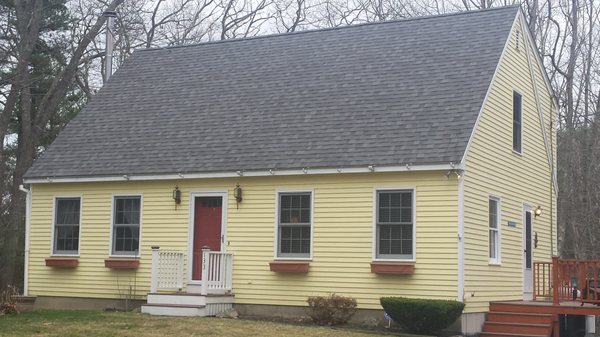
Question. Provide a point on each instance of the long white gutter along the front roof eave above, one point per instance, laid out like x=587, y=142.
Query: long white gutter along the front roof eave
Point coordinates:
x=240, y=173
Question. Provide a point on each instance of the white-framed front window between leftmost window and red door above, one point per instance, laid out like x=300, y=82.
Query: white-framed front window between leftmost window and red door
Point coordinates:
x=126, y=225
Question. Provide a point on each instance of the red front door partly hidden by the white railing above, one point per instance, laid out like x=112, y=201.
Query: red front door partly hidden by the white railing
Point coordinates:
x=207, y=229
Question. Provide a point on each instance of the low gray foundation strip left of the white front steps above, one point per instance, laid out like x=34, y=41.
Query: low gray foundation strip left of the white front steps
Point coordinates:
x=85, y=303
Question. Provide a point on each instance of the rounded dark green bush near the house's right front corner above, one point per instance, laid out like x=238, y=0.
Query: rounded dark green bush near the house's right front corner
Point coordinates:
x=422, y=316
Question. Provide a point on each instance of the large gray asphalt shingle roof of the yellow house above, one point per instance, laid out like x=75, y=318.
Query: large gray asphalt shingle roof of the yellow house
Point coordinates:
x=386, y=94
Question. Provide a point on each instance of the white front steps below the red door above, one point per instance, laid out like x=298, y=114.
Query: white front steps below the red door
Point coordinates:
x=186, y=304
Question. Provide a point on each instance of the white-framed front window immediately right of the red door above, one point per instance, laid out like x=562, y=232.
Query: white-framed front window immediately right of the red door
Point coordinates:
x=294, y=224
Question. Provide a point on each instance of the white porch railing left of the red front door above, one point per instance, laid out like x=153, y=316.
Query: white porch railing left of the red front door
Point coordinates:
x=167, y=270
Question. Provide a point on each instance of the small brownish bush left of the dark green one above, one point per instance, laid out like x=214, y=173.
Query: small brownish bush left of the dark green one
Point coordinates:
x=331, y=310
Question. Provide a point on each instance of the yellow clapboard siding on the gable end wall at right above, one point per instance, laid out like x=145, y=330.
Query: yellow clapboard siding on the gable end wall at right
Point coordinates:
x=494, y=169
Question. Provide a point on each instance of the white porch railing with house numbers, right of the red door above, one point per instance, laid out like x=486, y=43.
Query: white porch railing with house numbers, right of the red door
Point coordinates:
x=216, y=272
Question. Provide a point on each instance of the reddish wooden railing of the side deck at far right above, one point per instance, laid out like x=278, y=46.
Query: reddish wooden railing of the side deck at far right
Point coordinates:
x=567, y=280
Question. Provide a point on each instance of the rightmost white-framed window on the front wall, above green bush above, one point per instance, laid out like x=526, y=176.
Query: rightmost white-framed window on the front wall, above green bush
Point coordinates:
x=394, y=224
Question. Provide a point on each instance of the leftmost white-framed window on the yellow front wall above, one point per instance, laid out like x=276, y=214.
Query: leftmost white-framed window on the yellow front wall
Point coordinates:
x=67, y=219
